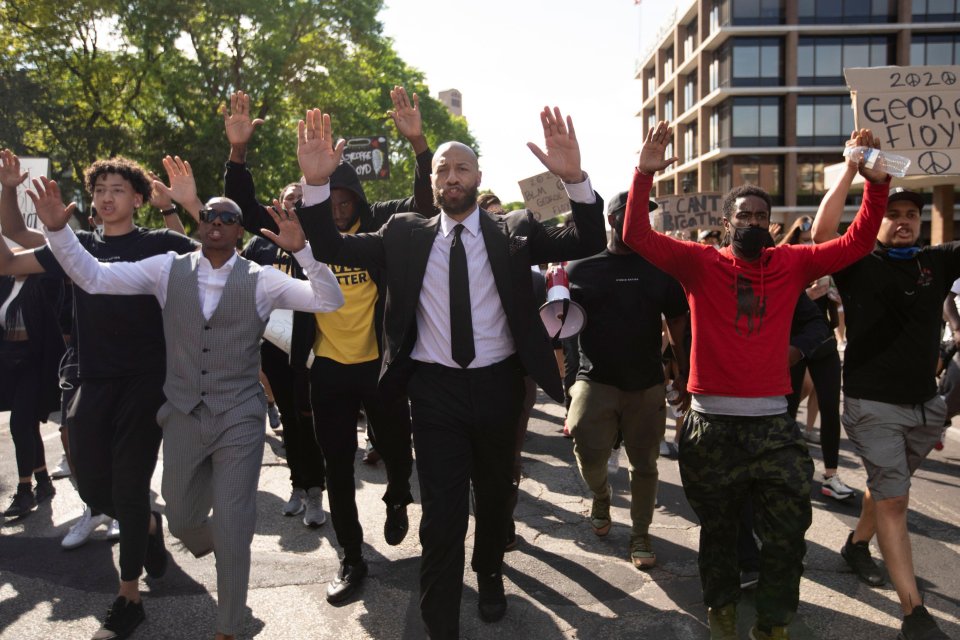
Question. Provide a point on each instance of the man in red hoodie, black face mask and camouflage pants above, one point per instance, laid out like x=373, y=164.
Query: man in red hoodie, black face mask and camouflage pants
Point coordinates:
x=738, y=441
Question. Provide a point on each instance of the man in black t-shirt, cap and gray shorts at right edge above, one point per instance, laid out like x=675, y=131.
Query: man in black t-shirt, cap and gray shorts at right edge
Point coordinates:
x=893, y=301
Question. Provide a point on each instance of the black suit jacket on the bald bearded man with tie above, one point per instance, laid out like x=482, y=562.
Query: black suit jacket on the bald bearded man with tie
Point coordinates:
x=514, y=242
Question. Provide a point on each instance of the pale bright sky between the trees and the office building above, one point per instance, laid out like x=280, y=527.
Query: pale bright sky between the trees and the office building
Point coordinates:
x=510, y=58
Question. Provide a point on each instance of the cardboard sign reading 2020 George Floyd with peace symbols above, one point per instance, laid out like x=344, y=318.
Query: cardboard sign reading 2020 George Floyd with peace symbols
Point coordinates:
x=915, y=111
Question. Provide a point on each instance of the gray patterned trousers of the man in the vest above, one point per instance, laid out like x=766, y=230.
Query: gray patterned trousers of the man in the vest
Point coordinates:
x=214, y=462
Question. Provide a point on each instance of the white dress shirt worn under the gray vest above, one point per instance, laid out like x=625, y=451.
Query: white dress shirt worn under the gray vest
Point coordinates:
x=275, y=290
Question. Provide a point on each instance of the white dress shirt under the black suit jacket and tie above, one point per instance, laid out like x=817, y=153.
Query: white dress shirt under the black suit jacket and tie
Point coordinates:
x=492, y=340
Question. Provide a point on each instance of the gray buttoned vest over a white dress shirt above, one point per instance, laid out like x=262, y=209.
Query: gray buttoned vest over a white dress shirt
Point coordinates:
x=217, y=361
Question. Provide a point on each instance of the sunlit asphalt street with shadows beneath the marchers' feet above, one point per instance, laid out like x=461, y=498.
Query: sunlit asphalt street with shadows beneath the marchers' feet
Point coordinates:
x=561, y=582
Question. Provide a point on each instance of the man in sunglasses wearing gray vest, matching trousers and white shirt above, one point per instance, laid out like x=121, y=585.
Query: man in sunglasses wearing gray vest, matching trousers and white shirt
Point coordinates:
x=213, y=420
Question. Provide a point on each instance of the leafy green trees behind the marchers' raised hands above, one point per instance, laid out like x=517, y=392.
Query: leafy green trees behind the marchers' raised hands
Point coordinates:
x=146, y=78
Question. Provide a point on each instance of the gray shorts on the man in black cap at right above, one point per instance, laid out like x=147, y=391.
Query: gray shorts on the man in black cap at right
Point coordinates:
x=892, y=439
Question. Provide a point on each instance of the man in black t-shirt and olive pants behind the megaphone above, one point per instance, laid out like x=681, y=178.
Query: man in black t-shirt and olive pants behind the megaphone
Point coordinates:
x=619, y=386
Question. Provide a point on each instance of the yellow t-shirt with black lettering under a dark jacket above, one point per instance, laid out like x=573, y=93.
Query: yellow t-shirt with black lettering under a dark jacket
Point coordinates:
x=348, y=335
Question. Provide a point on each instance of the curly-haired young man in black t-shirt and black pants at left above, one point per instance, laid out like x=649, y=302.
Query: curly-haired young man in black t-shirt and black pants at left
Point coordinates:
x=114, y=437
